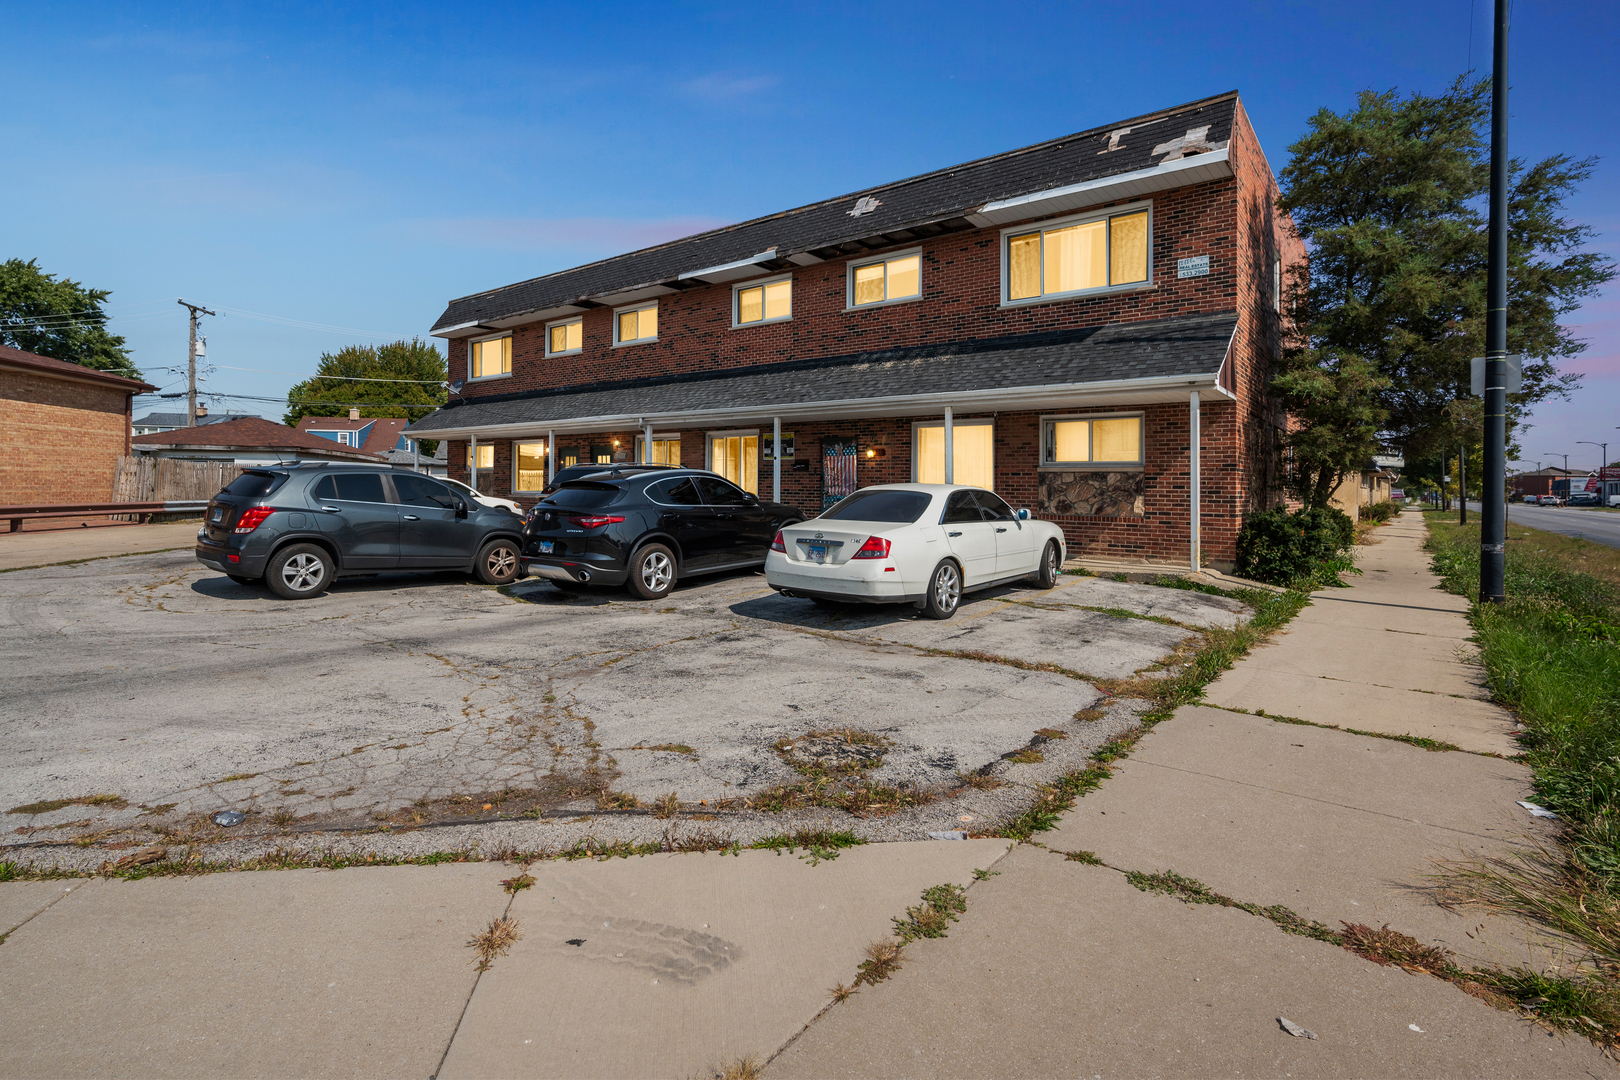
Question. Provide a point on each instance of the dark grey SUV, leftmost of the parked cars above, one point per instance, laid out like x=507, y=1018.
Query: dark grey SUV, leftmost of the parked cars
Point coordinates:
x=302, y=524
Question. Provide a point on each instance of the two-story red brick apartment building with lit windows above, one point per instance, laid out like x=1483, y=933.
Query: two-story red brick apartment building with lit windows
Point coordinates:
x=1085, y=326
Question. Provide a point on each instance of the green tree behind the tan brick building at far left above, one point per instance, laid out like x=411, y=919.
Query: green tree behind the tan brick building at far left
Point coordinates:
x=59, y=318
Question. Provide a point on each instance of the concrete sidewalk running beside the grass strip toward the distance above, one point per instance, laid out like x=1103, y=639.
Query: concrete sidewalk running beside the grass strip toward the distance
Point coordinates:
x=1065, y=969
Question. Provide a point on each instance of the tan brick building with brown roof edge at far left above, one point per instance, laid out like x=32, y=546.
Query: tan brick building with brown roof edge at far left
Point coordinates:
x=62, y=430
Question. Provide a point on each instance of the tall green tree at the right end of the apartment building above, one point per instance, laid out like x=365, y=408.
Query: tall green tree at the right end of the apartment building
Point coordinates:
x=1389, y=200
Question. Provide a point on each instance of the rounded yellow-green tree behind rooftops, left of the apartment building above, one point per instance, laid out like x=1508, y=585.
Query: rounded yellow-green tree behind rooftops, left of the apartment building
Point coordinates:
x=341, y=380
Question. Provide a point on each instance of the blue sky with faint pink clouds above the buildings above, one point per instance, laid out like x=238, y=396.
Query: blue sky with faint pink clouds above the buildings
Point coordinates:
x=346, y=169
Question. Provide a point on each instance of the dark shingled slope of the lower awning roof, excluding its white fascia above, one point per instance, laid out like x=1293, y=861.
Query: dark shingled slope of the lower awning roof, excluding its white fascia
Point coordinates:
x=1190, y=346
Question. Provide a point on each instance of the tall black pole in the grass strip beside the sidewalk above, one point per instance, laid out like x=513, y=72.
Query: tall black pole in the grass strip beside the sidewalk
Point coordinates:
x=1494, y=512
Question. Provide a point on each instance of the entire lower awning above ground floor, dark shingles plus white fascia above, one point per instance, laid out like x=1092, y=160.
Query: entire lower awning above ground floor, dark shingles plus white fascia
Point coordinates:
x=1119, y=364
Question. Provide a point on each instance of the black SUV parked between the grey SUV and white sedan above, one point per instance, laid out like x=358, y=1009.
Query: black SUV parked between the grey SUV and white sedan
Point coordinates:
x=647, y=530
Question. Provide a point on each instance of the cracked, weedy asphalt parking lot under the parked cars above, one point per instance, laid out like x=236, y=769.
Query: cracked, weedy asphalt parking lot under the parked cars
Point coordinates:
x=420, y=705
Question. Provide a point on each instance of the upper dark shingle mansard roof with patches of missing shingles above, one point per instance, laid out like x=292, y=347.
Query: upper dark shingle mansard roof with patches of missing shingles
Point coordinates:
x=905, y=211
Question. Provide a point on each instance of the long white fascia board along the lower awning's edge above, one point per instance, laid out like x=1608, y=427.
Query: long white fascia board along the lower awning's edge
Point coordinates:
x=1154, y=391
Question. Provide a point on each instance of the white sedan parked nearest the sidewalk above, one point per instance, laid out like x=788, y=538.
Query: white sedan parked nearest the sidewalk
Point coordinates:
x=923, y=545
